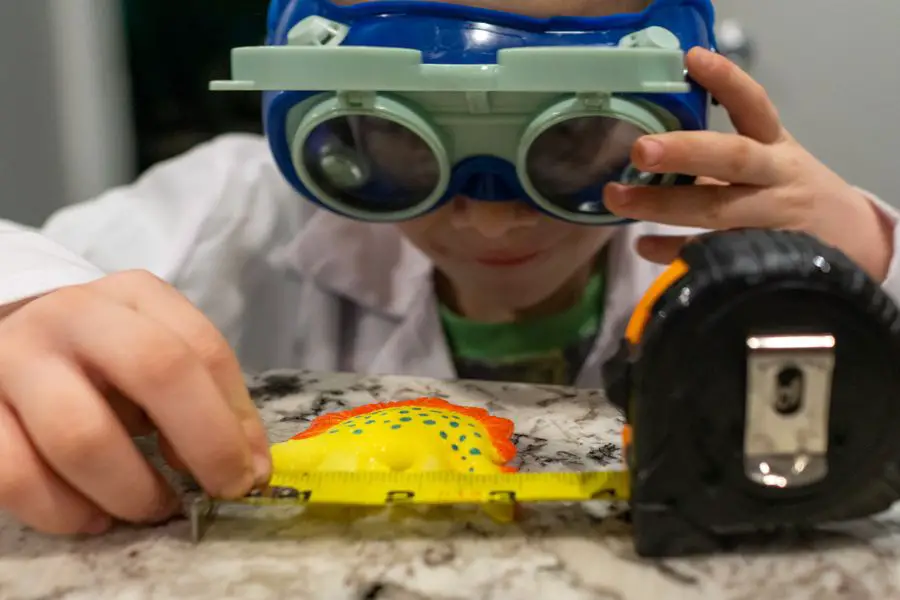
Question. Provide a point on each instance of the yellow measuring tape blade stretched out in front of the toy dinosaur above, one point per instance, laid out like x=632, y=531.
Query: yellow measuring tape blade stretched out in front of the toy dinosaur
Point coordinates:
x=384, y=488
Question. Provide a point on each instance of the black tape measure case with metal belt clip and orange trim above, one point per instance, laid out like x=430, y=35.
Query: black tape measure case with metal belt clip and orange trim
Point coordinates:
x=762, y=386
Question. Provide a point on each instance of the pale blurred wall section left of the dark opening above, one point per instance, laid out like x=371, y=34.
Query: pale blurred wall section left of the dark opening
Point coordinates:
x=64, y=106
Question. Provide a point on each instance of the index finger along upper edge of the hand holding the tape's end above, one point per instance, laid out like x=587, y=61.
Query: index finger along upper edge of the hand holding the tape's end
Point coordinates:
x=159, y=301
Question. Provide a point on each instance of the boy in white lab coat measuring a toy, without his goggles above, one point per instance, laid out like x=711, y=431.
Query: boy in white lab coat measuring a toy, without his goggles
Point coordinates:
x=122, y=315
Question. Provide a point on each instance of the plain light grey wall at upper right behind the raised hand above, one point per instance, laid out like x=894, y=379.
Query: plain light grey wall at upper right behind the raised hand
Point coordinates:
x=831, y=67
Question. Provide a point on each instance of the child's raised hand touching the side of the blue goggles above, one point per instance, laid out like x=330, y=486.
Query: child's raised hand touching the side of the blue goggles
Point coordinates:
x=758, y=178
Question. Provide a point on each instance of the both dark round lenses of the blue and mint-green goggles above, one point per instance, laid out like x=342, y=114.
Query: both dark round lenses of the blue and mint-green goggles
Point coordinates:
x=377, y=167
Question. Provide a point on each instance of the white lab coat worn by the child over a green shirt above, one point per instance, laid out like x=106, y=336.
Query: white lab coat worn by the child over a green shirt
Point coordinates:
x=290, y=285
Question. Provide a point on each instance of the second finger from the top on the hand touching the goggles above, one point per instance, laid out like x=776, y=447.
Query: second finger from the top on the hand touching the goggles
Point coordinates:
x=721, y=156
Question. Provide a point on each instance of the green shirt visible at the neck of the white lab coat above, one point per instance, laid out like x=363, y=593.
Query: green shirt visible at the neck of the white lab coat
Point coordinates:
x=548, y=350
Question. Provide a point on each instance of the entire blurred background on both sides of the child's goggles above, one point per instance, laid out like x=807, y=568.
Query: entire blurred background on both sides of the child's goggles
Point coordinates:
x=92, y=92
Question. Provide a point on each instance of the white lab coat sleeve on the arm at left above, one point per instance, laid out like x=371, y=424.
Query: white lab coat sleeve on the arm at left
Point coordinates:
x=195, y=221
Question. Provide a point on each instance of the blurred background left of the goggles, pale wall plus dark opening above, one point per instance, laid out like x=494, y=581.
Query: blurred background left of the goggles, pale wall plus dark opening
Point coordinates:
x=92, y=92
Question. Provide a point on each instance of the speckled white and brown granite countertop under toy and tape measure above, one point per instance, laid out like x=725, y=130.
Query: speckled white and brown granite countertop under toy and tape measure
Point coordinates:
x=574, y=555
